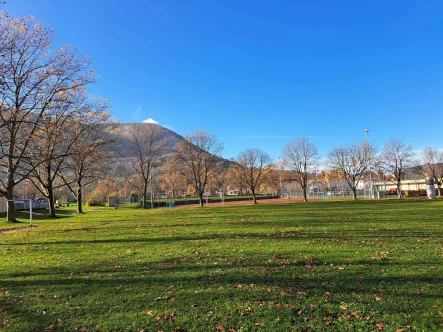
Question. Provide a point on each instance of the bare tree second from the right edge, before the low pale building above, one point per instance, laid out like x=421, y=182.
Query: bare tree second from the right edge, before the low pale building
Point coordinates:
x=395, y=159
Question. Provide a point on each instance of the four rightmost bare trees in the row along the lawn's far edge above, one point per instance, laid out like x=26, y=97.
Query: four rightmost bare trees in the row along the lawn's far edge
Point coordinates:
x=358, y=162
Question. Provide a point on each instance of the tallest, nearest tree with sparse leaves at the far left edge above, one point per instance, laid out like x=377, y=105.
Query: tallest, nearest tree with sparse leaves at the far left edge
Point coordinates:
x=32, y=77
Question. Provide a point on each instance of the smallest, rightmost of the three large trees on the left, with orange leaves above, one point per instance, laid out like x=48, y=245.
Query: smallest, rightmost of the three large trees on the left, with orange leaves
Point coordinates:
x=91, y=154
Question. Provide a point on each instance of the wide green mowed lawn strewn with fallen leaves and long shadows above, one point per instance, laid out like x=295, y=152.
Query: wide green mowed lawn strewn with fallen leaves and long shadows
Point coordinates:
x=365, y=265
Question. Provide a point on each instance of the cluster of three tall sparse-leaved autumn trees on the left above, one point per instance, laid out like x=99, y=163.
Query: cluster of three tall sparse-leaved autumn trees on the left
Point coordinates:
x=50, y=129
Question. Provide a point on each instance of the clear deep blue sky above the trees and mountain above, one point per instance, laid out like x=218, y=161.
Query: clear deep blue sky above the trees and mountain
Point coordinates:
x=260, y=72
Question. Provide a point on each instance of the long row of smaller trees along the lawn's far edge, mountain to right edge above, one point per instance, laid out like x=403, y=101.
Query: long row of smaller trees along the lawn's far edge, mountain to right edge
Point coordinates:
x=197, y=162
